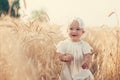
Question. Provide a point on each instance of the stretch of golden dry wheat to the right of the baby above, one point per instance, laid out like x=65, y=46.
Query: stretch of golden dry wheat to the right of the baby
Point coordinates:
x=106, y=61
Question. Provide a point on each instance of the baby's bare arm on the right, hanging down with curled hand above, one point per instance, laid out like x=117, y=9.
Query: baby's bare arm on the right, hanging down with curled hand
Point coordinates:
x=87, y=60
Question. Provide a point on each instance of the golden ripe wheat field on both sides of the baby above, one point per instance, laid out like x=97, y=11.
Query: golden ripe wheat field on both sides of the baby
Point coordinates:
x=28, y=50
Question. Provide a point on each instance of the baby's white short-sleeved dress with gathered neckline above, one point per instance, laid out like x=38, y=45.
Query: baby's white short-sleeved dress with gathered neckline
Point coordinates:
x=77, y=49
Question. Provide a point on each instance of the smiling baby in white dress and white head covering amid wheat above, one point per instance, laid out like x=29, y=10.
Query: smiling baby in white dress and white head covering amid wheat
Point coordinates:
x=75, y=53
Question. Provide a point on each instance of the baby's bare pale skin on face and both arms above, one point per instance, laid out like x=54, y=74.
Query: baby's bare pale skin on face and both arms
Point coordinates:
x=75, y=32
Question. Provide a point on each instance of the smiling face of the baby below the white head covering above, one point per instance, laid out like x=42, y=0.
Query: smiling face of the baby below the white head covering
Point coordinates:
x=74, y=31
